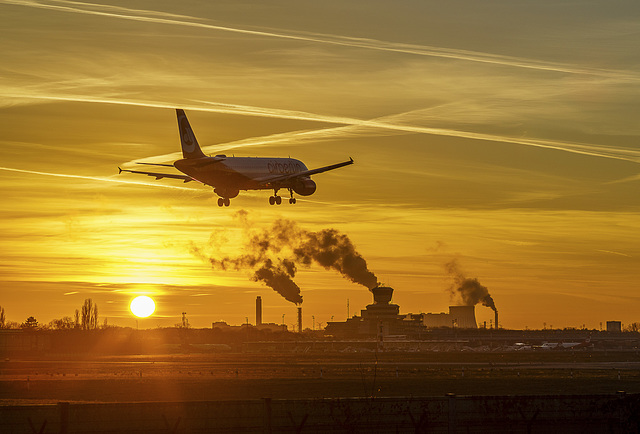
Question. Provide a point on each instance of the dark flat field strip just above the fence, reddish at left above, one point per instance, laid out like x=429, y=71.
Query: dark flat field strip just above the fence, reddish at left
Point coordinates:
x=214, y=377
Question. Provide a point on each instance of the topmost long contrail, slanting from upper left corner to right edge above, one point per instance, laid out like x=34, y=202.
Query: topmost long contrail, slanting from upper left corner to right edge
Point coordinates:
x=365, y=43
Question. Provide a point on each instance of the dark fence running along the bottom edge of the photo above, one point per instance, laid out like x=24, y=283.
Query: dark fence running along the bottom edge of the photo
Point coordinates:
x=617, y=413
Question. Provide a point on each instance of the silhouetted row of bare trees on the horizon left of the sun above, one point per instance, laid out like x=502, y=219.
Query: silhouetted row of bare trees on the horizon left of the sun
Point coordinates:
x=85, y=318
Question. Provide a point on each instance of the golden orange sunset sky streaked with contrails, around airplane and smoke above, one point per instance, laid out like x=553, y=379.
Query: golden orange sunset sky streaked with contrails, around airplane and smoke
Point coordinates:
x=503, y=134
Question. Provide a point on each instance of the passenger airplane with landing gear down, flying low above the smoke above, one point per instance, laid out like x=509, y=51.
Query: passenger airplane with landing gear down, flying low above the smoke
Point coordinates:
x=229, y=175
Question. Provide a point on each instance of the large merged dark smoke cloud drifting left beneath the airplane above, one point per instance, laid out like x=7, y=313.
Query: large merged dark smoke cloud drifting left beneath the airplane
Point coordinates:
x=274, y=254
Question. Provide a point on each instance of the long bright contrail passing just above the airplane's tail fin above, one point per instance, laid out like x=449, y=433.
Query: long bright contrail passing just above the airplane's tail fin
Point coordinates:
x=576, y=148
